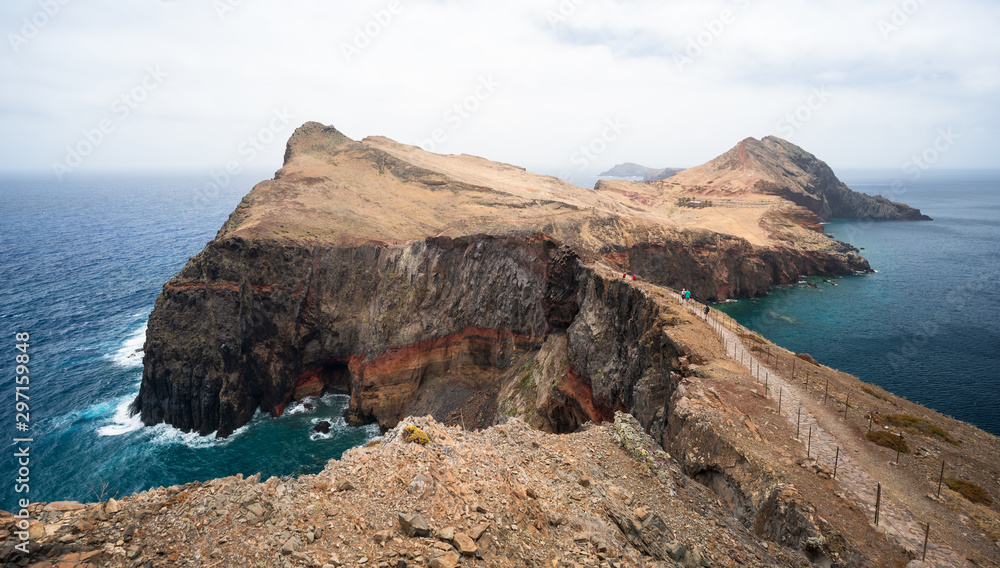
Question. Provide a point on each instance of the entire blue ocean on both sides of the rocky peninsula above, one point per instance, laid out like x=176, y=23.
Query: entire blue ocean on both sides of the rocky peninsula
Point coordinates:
x=83, y=260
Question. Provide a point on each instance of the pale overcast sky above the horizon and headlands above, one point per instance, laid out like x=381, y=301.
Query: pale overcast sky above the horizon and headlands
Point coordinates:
x=560, y=87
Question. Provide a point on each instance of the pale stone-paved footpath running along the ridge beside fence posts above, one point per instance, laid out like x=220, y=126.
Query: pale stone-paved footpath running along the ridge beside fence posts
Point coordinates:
x=855, y=481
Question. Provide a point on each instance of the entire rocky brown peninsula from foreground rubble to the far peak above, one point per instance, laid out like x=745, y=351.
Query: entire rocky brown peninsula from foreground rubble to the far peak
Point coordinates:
x=570, y=416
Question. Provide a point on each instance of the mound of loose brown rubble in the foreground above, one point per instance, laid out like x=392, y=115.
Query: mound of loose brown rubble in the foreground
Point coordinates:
x=604, y=496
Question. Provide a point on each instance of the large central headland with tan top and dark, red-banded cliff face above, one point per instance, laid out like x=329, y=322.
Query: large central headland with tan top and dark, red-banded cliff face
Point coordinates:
x=396, y=275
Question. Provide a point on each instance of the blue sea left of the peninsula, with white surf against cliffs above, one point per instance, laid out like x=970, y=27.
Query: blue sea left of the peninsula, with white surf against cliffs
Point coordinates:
x=81, y=264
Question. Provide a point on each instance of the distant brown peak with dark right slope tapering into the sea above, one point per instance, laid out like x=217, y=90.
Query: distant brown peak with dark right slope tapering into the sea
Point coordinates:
x=773, y=166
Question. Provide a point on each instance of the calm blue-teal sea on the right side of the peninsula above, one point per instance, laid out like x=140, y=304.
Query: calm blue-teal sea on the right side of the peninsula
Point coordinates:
x=926, y=325
